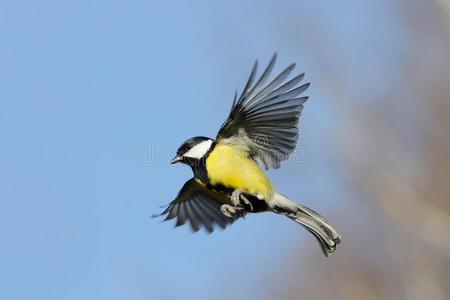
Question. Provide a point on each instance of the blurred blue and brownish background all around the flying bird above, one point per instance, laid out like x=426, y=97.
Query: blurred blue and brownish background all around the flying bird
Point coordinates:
x=95, y=97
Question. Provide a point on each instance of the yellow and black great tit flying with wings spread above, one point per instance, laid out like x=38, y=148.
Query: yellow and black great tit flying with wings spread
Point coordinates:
x=228, y=181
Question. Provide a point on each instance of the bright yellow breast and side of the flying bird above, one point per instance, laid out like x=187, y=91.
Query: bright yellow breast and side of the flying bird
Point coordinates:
x=230, y=166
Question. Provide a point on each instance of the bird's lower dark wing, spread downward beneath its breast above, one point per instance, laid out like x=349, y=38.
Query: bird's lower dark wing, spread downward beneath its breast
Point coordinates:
x=199, y=205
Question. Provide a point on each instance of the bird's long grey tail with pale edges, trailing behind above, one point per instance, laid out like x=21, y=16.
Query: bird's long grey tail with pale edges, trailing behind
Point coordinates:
x=316, y=224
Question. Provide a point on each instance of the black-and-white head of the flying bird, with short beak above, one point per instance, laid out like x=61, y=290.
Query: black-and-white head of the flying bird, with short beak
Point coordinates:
x=193, y=150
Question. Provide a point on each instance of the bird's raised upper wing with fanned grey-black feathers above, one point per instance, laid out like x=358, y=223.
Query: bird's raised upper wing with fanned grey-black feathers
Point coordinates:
x=264, y=119
